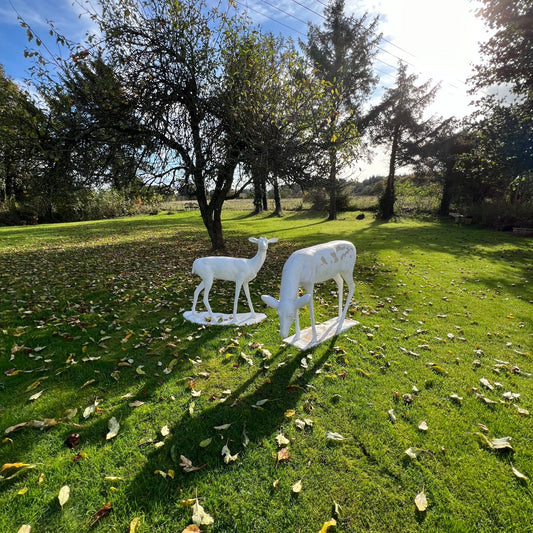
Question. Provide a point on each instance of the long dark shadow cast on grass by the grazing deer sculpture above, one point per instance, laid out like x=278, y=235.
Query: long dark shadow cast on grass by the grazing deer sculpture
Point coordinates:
x=283, y=385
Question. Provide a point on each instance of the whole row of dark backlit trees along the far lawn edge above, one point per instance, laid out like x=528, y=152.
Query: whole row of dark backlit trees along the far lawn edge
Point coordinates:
x=178, y=94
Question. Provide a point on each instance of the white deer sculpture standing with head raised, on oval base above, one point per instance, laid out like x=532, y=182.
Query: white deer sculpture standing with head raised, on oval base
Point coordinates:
x=236, y=269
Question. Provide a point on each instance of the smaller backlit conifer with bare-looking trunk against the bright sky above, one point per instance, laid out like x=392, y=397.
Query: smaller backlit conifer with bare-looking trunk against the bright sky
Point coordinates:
x=403, y=128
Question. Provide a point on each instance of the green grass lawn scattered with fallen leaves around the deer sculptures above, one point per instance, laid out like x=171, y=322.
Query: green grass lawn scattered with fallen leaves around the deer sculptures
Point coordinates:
x=91, y=329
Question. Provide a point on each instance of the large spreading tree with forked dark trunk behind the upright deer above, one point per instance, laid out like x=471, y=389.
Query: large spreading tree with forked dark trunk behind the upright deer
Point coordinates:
x=169, y=82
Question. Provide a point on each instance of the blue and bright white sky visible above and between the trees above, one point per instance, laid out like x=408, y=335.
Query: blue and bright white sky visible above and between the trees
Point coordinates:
x=438, y=39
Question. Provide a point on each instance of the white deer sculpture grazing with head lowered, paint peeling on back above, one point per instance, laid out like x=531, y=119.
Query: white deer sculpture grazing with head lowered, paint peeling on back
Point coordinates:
x=330, y=260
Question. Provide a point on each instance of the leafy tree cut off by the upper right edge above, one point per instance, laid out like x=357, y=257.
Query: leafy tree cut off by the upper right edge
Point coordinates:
x=502, y=158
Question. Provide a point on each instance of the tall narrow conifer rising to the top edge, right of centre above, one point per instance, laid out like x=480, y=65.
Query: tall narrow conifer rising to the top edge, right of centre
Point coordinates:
x=341, y=54
